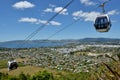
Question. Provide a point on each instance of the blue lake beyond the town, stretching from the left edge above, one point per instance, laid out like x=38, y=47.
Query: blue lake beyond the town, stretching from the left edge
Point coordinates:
x=33, y=44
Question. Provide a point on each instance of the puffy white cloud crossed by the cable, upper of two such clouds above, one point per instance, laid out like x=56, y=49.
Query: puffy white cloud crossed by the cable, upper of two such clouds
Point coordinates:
x=56, y=10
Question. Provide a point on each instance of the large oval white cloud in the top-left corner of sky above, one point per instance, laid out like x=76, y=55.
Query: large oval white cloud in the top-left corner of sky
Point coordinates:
x=23, y=5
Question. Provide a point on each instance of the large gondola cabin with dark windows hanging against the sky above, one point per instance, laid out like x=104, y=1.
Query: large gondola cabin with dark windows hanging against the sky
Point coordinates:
x=102, y=23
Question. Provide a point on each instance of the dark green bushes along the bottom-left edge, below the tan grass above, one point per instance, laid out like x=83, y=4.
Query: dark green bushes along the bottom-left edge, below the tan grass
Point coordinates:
x=38, y=76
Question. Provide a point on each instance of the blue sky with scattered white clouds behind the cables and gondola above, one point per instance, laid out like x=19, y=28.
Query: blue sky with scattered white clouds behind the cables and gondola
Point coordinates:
x=19, y=18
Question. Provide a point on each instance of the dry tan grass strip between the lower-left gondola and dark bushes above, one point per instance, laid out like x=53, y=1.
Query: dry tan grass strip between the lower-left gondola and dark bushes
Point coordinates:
x=30, y=70
